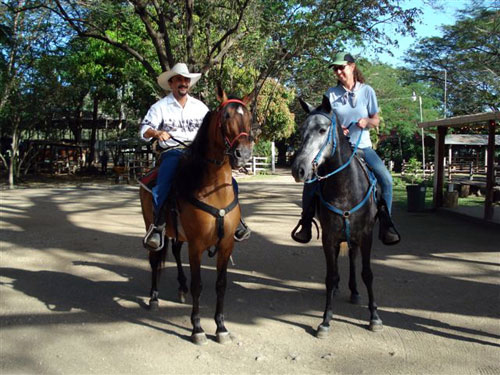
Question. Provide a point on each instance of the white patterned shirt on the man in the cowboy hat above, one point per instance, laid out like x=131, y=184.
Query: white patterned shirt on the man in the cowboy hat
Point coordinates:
x=181, y=123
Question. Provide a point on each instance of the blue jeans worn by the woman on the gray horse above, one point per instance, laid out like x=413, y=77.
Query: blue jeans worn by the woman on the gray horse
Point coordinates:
x=383, y=175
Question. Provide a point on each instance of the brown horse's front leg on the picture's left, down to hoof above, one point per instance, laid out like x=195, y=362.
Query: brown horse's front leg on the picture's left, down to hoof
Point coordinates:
x=198, y=335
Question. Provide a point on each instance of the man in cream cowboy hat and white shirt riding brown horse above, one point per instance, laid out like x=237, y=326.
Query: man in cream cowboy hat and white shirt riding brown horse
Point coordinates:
x=177, y=116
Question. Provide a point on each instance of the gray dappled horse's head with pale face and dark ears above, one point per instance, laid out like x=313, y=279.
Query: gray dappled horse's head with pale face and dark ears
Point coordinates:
x=315, y=132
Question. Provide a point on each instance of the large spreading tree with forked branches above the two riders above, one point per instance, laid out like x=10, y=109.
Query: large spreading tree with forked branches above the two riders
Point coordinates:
x=274, y=37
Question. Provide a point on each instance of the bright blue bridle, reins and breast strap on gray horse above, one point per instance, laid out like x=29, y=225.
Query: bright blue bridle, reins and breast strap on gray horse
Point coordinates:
x=332, y=138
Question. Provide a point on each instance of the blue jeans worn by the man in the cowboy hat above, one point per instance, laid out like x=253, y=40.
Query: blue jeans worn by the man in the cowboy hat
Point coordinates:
x=169, y=161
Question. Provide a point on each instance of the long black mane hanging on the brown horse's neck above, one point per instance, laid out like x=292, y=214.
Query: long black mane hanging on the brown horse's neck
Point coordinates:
x=192, y=165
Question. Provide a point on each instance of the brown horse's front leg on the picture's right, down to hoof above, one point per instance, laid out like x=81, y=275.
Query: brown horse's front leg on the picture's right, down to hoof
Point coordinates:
x=221, y=333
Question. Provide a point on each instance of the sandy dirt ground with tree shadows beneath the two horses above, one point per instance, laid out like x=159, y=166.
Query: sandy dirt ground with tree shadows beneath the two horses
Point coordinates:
x=74, y=285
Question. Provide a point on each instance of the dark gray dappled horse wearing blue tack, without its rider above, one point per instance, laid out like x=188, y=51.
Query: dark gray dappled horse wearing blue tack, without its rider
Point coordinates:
x=347, y=209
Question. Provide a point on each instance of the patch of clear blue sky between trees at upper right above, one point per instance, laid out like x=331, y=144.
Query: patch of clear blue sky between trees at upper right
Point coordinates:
x=429, y=25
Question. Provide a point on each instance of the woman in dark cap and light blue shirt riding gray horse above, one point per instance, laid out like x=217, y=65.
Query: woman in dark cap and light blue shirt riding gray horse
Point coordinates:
x=354, y=104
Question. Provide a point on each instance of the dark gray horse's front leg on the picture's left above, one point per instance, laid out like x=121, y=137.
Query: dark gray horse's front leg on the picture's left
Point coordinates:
x=331, y=250
